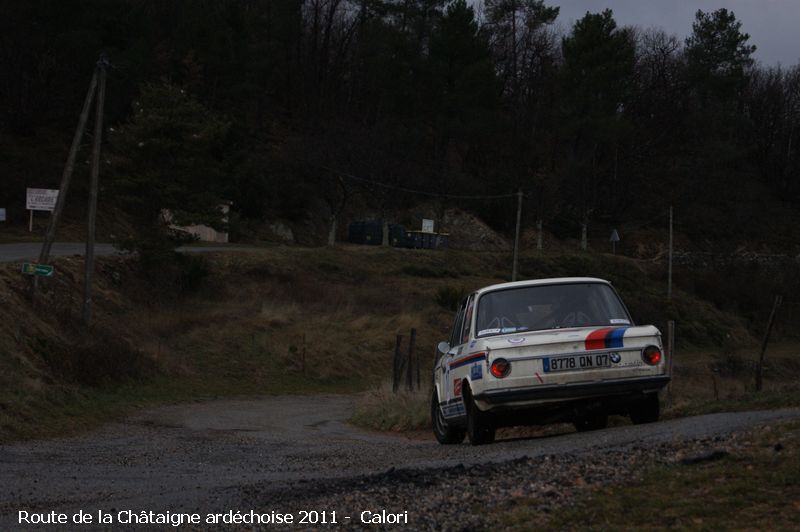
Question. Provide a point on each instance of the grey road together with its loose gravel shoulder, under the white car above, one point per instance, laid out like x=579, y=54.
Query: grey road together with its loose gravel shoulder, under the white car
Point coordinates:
x=293, y=453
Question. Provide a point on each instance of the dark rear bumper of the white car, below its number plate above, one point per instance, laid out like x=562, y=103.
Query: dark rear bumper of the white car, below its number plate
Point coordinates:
x=544, y=393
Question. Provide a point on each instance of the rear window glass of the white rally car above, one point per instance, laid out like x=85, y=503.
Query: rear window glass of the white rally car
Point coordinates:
x=555, y=306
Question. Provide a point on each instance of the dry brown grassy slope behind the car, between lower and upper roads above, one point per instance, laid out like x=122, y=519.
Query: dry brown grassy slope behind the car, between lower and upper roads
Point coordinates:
x=265, y=321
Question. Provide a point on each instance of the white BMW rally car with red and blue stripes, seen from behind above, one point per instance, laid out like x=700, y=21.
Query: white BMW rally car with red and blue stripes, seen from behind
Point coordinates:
x=544, y=351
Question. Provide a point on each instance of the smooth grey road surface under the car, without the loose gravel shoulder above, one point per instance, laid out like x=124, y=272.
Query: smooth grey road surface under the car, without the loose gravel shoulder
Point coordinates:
x=202, y=456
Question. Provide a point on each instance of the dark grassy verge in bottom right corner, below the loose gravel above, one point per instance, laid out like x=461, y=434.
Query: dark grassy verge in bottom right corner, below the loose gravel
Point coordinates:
x=756, y=487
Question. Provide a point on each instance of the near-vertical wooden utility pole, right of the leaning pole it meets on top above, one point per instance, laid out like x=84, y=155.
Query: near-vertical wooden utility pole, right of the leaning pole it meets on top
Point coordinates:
x=102, y=65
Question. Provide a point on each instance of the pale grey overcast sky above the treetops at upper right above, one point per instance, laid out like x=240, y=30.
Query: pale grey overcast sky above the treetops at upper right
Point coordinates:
x=773, y=25
